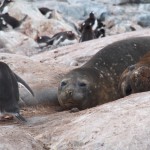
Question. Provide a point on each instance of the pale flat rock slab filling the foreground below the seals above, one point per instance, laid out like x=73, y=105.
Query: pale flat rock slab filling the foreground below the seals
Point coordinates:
x=123, y=124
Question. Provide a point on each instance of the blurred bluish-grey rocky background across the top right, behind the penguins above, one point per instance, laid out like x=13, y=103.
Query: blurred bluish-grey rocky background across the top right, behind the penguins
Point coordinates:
x=119, y=16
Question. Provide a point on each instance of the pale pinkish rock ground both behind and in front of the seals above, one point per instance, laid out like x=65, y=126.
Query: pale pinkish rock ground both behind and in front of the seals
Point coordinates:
x=122, y=124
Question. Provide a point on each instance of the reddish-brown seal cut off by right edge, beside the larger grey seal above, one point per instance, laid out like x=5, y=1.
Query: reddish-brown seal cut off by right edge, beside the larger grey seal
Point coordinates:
x=136, y=78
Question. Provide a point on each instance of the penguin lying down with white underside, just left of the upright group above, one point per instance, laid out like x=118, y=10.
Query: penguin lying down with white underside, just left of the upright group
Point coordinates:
x=63, y=38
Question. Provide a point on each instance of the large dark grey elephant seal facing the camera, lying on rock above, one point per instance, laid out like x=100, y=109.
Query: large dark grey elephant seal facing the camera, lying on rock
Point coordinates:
x=96, y=82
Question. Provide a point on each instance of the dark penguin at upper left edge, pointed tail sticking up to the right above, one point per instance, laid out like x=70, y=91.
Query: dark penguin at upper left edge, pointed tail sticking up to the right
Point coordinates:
x=13, y=22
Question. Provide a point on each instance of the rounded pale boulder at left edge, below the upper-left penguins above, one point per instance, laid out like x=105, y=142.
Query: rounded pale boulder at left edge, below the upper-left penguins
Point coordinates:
x=18, y=43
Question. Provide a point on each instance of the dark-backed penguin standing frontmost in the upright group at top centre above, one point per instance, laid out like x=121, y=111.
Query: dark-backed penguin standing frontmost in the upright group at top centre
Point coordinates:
x=87, y=33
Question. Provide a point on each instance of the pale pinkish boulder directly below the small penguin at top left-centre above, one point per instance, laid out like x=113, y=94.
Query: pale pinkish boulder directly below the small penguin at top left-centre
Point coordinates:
x=36, y=21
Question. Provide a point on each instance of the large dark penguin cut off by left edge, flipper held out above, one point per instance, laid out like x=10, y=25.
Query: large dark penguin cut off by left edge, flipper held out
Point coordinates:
x=9, y=92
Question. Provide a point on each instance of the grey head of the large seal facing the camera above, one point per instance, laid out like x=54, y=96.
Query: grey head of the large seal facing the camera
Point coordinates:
x=78, y=89
